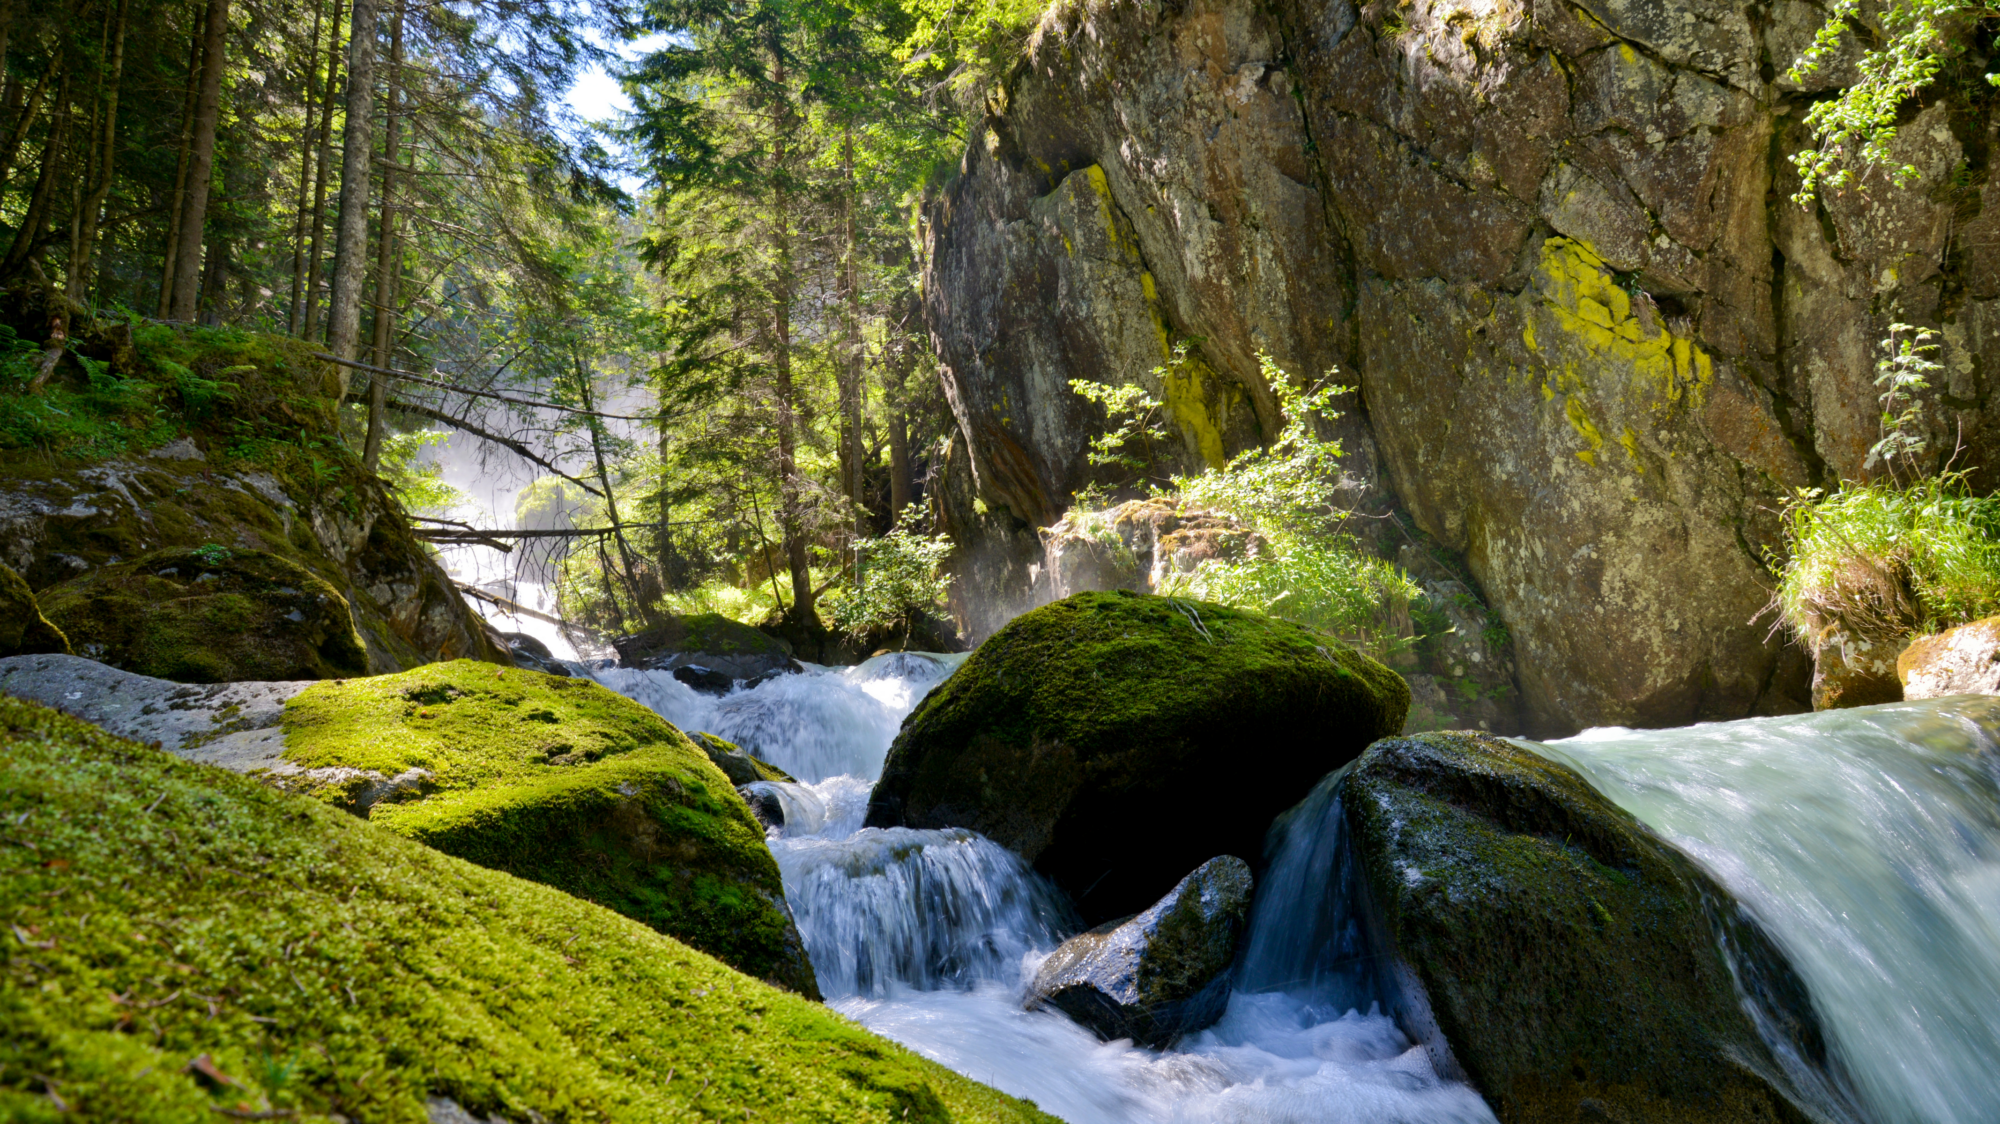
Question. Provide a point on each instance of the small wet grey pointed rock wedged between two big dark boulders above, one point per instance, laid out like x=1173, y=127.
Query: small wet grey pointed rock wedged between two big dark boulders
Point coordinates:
x=1161, y=975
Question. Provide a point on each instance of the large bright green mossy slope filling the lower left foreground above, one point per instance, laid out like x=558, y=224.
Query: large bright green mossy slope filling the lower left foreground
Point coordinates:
x=163, y=911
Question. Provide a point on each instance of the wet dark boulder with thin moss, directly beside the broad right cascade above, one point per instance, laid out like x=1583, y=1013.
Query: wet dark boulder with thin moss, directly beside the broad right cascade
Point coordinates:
x=1567, y=959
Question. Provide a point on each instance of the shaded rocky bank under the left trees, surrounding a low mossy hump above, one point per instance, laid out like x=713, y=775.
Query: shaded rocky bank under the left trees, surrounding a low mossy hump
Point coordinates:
x=69, y=521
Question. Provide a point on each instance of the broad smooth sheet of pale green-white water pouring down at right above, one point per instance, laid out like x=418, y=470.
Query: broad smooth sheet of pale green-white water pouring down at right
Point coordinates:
x=1869, y=847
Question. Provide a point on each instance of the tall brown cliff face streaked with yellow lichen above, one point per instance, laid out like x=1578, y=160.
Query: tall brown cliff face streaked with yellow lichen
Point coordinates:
x=1597, y=345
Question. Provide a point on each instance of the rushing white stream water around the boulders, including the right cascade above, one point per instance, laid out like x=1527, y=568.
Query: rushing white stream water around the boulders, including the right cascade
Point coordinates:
x=1867, y=843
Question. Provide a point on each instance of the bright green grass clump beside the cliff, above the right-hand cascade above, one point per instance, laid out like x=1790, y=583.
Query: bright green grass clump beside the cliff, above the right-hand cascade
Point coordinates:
x=1883, y=563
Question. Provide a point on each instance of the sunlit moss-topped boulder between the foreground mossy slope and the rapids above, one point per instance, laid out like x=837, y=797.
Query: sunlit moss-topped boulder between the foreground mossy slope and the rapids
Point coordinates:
x=565, y=783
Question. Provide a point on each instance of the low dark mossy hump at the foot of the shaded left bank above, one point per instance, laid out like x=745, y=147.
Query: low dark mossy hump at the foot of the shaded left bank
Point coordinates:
x=211, y=615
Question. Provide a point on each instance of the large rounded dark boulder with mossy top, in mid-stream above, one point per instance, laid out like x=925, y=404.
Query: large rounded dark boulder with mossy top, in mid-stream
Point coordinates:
x=1119, y=741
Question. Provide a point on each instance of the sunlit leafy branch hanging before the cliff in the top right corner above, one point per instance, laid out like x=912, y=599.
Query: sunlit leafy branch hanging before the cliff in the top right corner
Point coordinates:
x=1859, y=125
